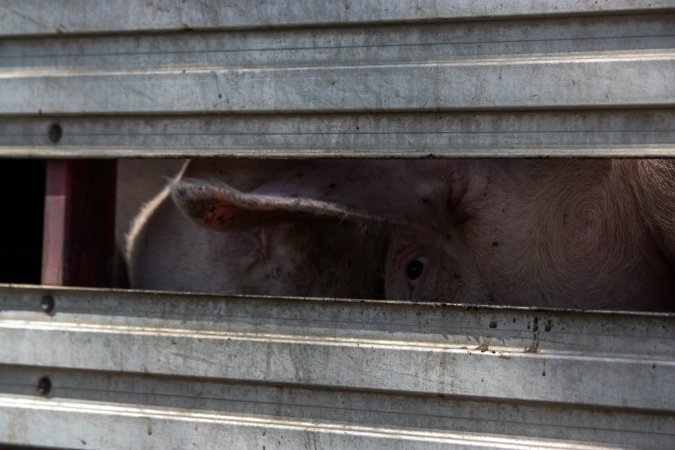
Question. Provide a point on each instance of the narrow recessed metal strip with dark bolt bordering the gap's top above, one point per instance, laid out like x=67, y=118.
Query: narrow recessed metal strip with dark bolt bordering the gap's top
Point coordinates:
x=563, y=133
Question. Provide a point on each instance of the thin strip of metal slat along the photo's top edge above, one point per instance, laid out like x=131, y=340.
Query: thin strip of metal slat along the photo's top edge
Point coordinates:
x=29, y=17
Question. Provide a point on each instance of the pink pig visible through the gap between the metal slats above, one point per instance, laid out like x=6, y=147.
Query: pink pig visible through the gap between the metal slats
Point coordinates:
x=583, y=233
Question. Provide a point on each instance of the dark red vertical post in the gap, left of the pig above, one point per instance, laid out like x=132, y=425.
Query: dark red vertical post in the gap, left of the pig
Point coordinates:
x=79, y=241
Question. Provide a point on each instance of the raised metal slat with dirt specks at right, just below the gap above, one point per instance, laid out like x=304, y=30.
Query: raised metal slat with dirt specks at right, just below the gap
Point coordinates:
x=307, y=348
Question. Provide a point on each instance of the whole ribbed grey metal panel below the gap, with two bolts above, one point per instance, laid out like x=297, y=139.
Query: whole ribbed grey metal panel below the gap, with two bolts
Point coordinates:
x=179, y=368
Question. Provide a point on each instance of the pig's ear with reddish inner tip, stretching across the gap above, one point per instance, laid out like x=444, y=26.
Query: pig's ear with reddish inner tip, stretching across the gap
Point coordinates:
x=220, y=206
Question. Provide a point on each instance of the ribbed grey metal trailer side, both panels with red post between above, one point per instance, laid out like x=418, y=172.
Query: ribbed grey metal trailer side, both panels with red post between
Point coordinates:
x=83, y=83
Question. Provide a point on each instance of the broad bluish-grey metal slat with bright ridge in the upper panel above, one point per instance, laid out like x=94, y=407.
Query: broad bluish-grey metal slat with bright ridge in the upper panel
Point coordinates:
x=407, y=68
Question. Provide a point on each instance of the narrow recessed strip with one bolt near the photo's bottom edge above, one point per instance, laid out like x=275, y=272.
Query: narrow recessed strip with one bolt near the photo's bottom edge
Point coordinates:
x=261, y=404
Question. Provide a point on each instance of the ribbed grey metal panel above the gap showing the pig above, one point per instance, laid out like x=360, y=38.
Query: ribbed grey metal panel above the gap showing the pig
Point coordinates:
x=595, y=84
